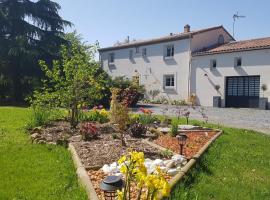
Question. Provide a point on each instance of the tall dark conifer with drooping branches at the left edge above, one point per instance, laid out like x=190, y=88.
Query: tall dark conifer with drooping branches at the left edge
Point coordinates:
x=29, y=31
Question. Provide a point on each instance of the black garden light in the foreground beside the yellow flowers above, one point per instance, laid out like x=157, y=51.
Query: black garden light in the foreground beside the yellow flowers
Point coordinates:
x=110, y=185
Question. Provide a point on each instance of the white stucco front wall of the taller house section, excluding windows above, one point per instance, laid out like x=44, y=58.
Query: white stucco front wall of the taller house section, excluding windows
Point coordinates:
x=153, y=67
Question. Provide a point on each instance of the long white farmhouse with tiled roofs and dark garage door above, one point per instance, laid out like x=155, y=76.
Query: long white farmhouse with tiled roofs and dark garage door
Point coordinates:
x=207, y=62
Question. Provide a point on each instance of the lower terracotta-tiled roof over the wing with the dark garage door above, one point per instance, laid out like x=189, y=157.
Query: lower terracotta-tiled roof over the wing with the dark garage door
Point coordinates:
x=235, y=46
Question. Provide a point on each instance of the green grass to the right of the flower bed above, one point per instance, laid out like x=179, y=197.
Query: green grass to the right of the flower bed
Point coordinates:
x=236, y=166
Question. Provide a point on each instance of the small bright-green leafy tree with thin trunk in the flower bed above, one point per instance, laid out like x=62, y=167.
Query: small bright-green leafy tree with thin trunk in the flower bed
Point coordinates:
x=74, y=80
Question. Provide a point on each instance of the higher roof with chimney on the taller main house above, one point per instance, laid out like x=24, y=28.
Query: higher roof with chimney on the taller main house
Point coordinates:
x=171, y=37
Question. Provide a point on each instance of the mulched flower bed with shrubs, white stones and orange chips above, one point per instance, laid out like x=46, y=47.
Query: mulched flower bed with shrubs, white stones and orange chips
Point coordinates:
x=99, y=144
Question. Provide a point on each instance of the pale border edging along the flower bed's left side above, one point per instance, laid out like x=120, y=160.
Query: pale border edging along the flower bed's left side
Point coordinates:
x=83, y=177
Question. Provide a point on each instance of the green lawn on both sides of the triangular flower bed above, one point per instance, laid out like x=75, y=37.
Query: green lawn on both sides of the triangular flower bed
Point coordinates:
x=237, y=166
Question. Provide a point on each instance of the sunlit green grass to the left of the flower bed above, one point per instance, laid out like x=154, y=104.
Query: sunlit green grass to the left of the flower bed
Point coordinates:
x=33, y=171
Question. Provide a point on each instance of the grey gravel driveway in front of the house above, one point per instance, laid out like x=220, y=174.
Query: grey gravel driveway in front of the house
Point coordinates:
x=254, y=119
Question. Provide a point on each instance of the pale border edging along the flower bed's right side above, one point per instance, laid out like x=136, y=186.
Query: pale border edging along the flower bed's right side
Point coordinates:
x=177, y=178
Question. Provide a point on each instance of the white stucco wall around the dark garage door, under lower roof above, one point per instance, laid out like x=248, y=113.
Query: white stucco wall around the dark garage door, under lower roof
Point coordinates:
x=256, y=62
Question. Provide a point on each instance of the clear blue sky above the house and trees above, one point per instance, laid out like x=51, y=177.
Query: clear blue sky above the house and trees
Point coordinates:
x=110, y=20
